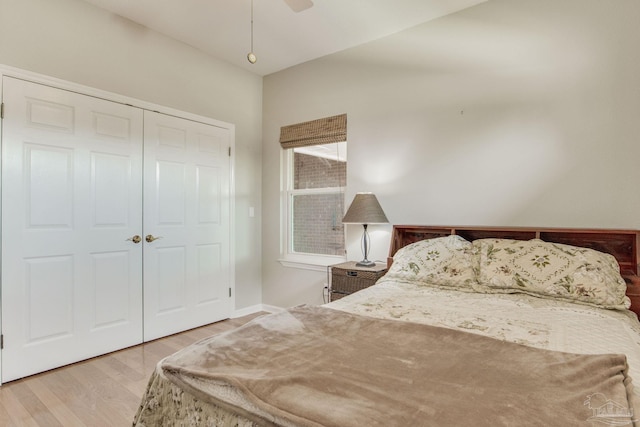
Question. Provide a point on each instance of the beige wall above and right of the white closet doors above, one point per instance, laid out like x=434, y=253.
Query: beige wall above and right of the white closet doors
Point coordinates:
x=75, y=41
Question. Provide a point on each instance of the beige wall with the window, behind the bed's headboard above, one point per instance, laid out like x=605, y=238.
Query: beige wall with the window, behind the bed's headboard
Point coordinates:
x=513, y=113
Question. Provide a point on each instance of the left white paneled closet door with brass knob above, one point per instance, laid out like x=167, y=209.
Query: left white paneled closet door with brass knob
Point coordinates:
x=71, y=197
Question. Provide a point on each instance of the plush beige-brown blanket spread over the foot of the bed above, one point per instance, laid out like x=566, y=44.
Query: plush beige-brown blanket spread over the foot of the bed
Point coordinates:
x=314, y=366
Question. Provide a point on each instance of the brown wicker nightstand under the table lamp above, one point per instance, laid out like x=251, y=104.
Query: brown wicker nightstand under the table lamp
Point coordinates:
x=347, y=278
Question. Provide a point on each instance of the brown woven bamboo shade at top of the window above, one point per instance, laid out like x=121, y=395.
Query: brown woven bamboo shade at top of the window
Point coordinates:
x=314, y=132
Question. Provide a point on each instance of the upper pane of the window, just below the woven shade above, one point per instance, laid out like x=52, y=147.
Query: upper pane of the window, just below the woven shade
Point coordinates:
x=320, y=166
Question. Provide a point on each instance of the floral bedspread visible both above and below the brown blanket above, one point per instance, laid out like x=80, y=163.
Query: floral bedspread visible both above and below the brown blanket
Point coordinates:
x=515, y=318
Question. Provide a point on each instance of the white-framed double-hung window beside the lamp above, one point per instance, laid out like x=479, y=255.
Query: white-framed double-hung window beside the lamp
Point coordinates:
x=314, y=178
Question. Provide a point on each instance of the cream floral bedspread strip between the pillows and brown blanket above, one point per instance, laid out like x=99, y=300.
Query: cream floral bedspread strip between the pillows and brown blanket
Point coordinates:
x=537, y=322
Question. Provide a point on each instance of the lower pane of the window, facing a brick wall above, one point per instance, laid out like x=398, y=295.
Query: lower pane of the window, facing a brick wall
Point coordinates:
x=317, y=224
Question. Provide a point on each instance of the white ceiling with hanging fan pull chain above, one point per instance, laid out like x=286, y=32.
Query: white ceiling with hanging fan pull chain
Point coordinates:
x=281, y=37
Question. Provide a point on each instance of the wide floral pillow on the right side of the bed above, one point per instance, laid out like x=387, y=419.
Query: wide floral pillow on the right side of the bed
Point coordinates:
x=551, y=270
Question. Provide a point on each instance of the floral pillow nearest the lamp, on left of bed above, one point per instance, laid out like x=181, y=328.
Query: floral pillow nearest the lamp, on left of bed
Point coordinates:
x=440, y=262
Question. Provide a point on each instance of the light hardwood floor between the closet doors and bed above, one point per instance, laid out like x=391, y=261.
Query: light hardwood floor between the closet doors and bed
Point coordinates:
x=103, y=391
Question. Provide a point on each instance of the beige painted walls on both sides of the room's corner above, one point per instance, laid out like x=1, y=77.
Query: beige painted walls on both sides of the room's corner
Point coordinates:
x=514, y=112
